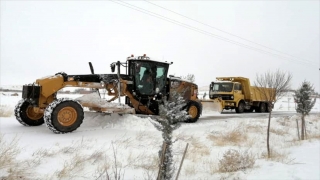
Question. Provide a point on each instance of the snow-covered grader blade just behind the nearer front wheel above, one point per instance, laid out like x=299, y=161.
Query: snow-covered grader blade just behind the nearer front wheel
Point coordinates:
x=95, y=103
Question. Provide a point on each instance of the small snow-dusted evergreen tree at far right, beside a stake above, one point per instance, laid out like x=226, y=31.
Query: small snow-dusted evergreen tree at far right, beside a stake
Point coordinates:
x=302, y=97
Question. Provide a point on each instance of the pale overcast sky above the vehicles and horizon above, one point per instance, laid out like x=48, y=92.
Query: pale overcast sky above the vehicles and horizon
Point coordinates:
x=204, y=38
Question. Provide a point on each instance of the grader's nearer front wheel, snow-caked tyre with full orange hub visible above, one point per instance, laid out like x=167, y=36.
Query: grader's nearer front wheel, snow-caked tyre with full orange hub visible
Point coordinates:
x=63, y=115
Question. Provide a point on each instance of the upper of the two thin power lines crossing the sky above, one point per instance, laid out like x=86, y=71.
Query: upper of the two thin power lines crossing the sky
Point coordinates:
x=227, y=32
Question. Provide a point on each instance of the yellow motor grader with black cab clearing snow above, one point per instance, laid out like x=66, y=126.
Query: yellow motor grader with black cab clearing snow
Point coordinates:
x=143, y=85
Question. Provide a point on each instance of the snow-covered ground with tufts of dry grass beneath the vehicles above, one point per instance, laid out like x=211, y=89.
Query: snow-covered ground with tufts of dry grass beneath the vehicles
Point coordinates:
x=127, y=147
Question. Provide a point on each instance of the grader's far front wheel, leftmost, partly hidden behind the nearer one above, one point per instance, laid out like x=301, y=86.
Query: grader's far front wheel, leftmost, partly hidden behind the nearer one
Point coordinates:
x=26, y=115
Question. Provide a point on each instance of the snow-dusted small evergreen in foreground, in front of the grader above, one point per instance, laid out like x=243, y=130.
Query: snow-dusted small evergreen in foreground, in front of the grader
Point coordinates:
x=171, y=112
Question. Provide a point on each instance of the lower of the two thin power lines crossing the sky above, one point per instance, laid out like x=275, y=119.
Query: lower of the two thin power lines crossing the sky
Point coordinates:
x=201, y=31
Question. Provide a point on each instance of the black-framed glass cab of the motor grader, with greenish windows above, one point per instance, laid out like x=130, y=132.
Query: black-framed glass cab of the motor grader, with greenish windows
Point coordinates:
x=149, y=76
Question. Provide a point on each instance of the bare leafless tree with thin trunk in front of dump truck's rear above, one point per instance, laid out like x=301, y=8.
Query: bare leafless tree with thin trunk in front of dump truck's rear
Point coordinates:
x=272, y=86
